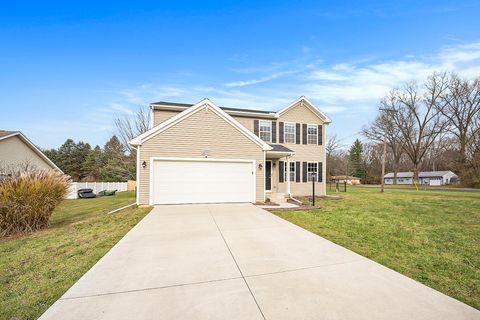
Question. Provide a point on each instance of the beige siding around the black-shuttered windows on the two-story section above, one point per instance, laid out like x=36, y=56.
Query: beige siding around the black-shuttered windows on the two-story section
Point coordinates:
x=303, y=152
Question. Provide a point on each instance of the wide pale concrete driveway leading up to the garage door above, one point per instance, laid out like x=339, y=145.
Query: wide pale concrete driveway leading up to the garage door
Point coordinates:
x=237, y=261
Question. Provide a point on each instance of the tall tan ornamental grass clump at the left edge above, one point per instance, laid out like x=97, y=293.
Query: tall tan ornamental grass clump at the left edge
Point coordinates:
x=28, y=198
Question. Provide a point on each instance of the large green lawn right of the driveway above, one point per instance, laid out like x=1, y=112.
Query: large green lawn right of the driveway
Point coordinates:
x=430, y=236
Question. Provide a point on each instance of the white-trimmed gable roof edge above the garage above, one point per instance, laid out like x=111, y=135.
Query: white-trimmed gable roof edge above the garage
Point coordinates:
x=205, y=103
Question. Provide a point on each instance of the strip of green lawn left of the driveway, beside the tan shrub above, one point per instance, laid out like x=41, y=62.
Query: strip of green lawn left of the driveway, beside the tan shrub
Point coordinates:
x=36, y=269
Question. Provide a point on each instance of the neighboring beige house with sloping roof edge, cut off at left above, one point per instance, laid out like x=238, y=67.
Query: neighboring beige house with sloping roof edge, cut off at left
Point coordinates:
x=17, y=151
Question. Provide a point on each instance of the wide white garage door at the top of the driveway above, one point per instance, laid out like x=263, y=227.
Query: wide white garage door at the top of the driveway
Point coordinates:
x=204, y=181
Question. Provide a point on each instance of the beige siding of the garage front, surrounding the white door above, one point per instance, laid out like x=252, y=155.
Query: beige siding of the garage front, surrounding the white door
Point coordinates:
x=204, y=130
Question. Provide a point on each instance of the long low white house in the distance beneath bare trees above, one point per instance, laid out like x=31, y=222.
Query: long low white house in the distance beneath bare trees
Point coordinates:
x=431, y=178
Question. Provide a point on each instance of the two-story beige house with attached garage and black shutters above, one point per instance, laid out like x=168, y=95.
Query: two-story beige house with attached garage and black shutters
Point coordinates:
x=202, y=153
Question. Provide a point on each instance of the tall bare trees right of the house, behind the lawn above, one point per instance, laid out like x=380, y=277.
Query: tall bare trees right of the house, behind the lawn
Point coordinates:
x=434, y=125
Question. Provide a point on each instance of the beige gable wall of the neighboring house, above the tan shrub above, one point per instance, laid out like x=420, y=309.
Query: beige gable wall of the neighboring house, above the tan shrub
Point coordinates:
x=14, y=152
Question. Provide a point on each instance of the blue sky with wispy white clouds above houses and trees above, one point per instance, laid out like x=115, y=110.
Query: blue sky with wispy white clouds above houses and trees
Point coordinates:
x=68, y=68
